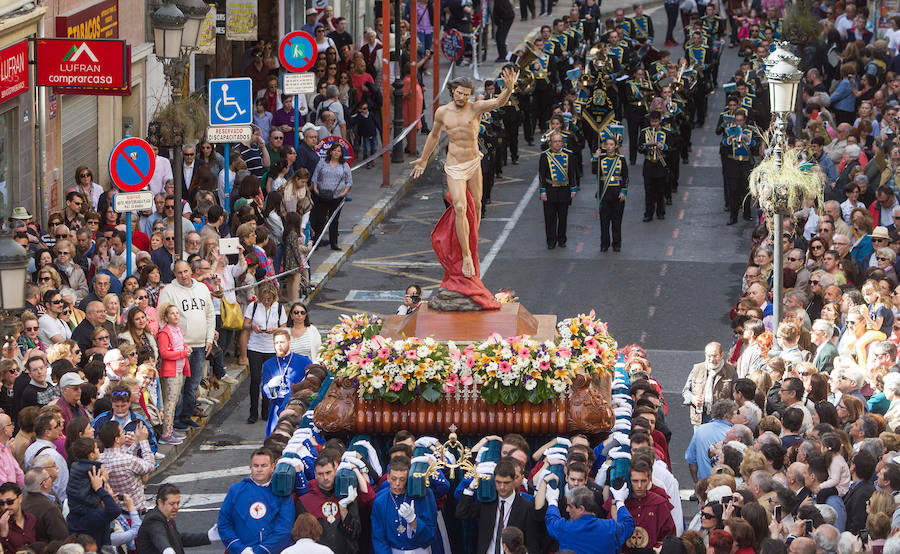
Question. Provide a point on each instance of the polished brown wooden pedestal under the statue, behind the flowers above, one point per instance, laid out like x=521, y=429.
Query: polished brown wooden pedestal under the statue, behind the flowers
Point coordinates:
x=510, y=320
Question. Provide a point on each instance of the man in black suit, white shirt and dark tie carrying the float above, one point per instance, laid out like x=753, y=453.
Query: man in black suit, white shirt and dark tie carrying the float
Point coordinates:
x=510, y=509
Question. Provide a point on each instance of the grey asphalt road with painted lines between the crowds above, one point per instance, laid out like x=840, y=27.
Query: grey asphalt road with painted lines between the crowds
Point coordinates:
x=669, y=289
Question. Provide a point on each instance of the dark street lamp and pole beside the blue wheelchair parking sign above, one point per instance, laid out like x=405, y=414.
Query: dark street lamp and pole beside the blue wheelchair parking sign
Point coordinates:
x=176, y=32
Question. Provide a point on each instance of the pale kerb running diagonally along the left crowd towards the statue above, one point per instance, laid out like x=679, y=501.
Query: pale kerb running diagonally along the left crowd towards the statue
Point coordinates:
x=361, y=231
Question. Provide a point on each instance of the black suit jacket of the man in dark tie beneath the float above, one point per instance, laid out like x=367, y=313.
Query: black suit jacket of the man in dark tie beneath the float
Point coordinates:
x=522, y=515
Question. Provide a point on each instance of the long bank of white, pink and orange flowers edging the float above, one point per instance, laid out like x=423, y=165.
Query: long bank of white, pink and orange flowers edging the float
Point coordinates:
x=507, y=370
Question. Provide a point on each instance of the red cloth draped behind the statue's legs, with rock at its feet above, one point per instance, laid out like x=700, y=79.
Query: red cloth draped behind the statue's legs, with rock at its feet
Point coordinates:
x=469, y=293
